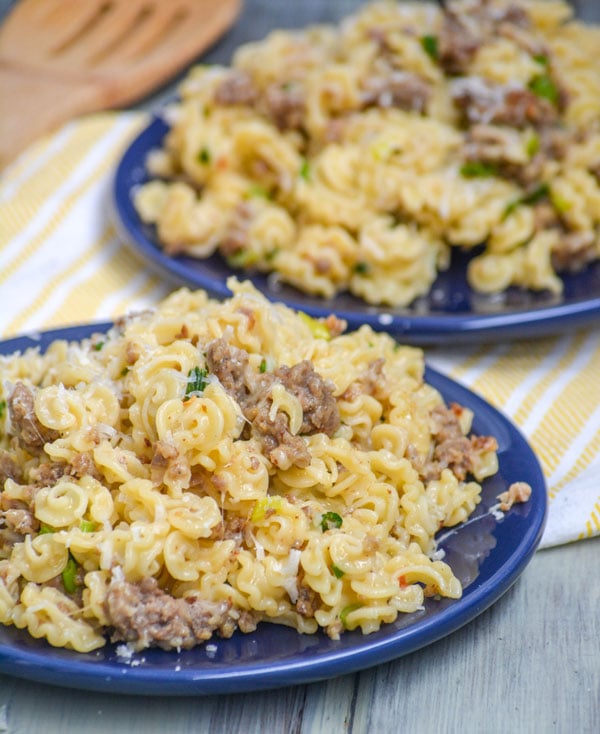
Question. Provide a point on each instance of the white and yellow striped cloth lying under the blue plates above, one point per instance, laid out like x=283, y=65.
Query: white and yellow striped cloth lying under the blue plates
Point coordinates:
x=62, y=263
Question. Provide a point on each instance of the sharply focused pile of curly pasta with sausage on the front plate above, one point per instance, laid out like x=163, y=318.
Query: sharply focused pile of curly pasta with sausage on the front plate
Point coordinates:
x=207, y=466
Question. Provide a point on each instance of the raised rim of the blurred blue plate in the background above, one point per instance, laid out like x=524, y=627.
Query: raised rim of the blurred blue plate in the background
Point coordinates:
x=415, y=328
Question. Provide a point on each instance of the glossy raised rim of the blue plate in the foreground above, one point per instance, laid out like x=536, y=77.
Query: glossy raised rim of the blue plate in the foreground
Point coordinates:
x=84, y=673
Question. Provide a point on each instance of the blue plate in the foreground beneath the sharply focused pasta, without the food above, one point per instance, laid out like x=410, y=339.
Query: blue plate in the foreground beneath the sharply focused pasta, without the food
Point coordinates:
x=487, y=555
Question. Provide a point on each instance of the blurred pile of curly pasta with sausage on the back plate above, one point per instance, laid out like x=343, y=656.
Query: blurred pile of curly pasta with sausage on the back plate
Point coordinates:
x=355, y=158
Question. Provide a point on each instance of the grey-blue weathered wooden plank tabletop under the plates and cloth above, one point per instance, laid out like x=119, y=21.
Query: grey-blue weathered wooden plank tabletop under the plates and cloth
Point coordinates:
x=531, y=663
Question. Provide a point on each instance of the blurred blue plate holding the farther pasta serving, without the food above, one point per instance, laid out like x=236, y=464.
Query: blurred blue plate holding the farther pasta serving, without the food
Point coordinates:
x=451, y=312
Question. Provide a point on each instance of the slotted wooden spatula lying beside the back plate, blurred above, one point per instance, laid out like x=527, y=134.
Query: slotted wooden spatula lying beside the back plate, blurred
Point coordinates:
x=63, y=58
